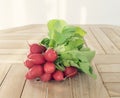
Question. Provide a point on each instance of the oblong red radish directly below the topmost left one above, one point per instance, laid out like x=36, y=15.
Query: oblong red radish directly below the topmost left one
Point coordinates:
x=37, y=58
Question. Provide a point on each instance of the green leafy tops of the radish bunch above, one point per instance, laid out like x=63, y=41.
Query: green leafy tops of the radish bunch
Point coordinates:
x=69, y=43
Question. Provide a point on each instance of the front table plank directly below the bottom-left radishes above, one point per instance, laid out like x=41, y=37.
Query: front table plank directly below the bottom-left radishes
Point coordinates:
x=34, y=88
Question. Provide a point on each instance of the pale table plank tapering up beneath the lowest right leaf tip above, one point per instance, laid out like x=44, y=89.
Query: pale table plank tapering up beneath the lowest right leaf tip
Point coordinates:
x=96, y=87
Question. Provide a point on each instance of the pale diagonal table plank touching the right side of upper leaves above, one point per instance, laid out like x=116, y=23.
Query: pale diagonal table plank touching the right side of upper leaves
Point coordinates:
x=92, y=42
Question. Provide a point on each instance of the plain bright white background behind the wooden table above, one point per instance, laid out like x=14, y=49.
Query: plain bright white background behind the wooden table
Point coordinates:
x=15, y=13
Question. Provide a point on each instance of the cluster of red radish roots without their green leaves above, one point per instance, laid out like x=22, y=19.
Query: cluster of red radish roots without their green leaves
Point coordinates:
x=41, y=64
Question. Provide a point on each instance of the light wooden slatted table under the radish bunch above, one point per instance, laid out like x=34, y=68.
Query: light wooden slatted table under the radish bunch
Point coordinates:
x=104, y=39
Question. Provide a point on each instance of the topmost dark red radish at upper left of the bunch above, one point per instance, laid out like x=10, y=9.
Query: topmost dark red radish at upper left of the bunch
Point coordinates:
x=36, y=48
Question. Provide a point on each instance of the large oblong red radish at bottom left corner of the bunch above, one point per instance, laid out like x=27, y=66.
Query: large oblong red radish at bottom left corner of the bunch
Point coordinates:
x=34, y=72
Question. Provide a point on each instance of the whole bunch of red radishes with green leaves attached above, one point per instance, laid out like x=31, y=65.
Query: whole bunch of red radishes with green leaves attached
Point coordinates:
x=62, y=54
